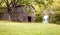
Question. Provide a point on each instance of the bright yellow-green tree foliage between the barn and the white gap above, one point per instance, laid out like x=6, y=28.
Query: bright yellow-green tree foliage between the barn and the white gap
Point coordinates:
x=39, y=8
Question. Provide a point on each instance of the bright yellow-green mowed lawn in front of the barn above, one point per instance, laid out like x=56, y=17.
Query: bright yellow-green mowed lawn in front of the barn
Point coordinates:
x=16, y=28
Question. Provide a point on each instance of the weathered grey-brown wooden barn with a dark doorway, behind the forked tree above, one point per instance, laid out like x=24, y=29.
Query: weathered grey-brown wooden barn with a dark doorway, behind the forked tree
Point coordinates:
x=19, y=15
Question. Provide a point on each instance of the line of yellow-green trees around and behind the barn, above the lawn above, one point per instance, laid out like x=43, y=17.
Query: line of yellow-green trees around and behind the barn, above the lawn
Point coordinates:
x=39, y=7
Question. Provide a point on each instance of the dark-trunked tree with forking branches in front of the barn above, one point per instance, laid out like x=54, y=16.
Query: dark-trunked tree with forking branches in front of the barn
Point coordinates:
x=10, y=4
